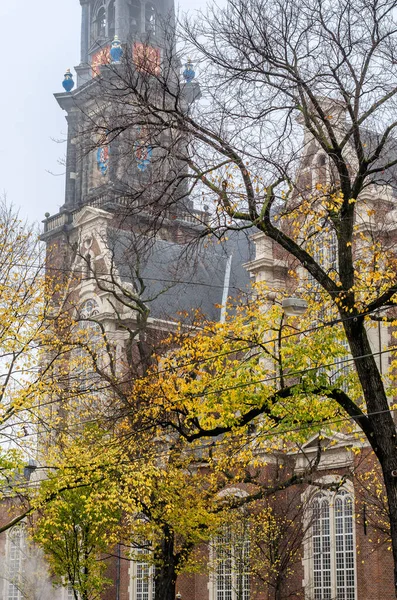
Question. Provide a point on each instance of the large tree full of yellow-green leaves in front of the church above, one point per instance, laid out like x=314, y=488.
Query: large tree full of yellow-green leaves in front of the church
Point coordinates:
x=154, y=460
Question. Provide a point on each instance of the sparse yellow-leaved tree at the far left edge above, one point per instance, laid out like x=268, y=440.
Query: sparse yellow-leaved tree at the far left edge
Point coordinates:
x=26, y=380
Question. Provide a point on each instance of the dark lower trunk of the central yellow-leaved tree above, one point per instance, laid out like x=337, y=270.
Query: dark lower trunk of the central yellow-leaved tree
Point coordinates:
x=165, y=574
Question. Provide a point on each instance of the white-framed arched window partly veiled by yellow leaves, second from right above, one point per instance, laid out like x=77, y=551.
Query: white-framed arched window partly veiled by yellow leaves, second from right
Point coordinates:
x=230, y=558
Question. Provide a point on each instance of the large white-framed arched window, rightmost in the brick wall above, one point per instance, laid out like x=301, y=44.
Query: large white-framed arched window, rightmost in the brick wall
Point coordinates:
x=332, y=547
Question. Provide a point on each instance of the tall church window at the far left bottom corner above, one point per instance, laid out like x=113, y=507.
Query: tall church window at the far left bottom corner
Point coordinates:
x=15, y=547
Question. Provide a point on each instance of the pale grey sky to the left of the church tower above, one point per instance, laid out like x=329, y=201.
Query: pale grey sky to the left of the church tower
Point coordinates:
x=40, y=40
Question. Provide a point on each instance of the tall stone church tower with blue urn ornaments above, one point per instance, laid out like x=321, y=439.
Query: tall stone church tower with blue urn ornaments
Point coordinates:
x=109, y=174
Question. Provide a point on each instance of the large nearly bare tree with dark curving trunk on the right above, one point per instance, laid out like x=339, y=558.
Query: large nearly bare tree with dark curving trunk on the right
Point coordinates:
x=294, y=136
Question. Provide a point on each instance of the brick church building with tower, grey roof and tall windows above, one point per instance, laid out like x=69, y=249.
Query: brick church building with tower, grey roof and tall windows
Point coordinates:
x=107, y=212
